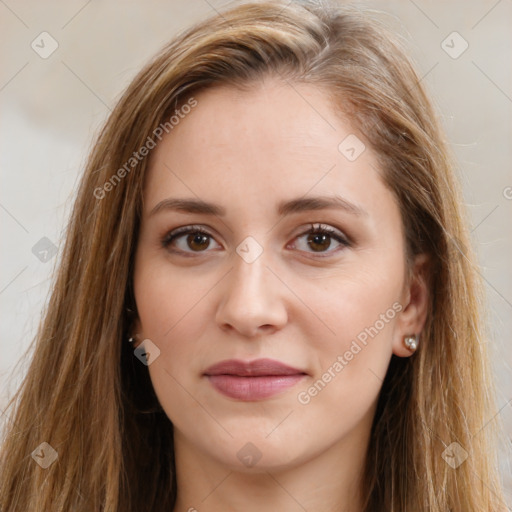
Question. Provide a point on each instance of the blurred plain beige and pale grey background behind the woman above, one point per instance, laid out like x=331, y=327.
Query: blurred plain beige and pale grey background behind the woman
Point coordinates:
x=51, y=108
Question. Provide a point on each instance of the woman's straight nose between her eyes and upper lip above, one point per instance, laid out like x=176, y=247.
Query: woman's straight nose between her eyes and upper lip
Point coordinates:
x=252, y=299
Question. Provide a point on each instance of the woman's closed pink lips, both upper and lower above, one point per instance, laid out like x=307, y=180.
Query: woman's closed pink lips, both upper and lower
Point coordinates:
x=253, y=380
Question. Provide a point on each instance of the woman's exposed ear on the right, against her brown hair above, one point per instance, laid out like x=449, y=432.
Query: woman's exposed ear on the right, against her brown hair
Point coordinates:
x=415, y=300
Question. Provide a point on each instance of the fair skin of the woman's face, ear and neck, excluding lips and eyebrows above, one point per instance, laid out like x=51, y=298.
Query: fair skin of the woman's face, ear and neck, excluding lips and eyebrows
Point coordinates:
x=248, y=151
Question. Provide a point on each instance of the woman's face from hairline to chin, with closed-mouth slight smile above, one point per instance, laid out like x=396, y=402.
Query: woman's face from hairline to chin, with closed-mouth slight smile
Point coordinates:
x=332, y=305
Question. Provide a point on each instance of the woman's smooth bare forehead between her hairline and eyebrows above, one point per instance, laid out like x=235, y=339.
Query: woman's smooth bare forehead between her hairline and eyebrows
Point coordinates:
x=272, y=141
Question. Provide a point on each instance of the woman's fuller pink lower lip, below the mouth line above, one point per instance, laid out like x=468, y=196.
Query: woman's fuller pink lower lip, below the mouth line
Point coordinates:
x=253, y=388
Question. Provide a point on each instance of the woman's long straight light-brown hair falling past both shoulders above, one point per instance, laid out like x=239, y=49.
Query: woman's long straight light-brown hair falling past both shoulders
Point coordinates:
x=87, y=396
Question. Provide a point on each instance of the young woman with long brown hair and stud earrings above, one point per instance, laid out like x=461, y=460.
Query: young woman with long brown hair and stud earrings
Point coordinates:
x=267, y=298
